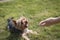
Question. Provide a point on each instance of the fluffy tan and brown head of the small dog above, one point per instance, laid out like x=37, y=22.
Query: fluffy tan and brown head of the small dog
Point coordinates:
x=22, y=23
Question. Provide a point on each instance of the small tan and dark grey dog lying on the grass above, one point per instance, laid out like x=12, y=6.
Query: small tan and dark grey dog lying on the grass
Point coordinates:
x=20, y=26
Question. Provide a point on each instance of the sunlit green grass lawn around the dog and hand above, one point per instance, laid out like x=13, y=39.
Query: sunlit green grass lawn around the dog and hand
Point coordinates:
x=34, y=11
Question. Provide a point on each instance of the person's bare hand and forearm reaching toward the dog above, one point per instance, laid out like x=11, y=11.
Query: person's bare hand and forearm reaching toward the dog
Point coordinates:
x=50, y=21
